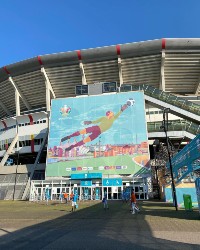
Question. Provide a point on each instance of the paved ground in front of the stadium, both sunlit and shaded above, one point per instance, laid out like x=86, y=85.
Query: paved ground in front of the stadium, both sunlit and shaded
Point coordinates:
x=25, y=225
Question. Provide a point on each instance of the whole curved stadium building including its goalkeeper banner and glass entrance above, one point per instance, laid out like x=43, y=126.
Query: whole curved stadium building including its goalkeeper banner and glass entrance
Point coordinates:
x=165, y=73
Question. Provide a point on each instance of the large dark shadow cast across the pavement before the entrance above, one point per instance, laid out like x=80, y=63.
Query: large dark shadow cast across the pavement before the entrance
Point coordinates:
x=93, y=228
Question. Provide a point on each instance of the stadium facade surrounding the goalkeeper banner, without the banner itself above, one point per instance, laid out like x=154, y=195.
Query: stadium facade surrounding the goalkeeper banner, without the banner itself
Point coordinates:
x=166, y=71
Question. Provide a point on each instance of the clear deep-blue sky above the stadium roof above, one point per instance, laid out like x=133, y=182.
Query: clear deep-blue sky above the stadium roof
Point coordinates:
x=36, y=27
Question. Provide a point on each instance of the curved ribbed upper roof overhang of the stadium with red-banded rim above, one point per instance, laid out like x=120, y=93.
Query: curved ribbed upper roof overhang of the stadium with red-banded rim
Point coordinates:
x=172, y=65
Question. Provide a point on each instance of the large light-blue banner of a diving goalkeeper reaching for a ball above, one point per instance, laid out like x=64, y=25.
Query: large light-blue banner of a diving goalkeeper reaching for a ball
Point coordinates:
x=98, y=134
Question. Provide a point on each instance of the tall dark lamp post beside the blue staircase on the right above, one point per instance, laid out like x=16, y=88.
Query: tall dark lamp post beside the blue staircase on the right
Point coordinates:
x=165, y=127
